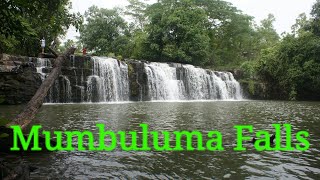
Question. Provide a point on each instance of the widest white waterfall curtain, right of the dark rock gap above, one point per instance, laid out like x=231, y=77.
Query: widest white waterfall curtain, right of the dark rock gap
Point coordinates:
x=186, y=82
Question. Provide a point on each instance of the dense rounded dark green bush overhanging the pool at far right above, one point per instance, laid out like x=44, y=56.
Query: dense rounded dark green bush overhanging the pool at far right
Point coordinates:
x=293, y=66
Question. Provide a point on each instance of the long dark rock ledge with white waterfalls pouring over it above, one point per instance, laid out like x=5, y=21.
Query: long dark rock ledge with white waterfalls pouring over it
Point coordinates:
x=101, y=79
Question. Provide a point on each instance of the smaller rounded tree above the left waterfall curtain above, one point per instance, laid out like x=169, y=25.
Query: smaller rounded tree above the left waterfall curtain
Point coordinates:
x=104, y=29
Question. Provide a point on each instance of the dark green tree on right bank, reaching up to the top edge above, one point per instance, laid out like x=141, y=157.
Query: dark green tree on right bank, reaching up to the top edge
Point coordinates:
x=292, y=66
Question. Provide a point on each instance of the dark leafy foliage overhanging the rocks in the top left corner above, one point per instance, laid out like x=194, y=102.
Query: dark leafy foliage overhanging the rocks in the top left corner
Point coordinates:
x=24, y=23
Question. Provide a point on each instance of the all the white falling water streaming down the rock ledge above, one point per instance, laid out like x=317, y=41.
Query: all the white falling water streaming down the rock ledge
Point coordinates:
x=109, y=82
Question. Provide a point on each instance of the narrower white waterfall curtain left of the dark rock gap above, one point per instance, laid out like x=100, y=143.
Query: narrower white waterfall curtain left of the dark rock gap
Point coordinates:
x=109, y=81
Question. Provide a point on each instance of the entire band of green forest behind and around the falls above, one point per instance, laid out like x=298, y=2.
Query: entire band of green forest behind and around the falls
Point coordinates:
x=208, y=33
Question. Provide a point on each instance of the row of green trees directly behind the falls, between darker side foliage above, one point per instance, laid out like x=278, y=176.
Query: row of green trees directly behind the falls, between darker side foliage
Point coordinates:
x=200, y=32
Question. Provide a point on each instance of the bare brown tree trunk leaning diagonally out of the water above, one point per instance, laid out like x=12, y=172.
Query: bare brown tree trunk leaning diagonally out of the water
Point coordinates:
x=25, y=117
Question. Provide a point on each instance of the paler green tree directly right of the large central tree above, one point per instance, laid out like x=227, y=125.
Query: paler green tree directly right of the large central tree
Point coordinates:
x=230, y=31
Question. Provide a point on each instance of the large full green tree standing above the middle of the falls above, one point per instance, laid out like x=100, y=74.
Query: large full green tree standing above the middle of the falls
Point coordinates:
x=177, y=32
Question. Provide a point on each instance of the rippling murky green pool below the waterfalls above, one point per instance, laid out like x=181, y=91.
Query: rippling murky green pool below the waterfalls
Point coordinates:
x=177, y=116
